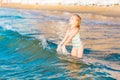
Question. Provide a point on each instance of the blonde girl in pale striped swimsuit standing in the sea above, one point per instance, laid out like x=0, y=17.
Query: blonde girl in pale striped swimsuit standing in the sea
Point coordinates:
x=72, y=34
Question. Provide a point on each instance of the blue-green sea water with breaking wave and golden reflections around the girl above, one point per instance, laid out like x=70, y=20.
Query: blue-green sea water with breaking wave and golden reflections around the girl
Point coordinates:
x=29, y=38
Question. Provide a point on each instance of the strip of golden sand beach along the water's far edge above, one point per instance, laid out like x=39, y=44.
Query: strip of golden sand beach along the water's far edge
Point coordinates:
x=101, y=10
